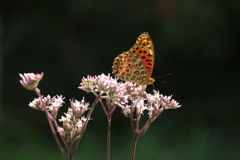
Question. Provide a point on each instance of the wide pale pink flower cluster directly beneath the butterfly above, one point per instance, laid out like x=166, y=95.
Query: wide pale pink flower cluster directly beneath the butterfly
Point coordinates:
x=128, y=95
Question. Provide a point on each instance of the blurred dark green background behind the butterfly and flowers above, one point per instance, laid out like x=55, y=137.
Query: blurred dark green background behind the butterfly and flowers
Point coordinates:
x=196, y=40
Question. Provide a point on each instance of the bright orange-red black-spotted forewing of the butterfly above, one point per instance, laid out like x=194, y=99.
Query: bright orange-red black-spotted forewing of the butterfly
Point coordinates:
x=145, y=49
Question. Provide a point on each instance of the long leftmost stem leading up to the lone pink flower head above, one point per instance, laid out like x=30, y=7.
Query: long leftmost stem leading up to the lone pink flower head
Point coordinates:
x=50, y=123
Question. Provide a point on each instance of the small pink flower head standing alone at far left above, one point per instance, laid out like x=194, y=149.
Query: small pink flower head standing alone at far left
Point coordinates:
x=30, y=80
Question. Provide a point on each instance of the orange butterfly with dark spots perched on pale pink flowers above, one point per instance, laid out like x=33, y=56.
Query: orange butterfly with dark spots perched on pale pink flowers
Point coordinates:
x=136, y=65
